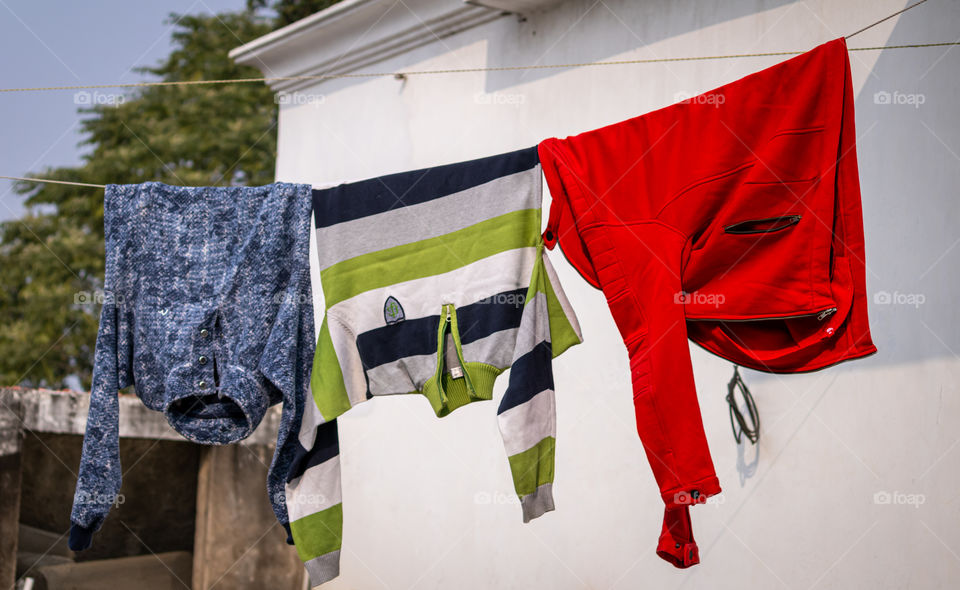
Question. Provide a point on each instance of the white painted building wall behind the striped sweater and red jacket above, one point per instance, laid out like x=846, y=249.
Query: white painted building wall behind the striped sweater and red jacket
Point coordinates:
x=428, y=502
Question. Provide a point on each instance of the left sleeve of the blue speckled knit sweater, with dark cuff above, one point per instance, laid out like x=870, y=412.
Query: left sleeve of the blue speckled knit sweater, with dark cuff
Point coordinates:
x=98, y=482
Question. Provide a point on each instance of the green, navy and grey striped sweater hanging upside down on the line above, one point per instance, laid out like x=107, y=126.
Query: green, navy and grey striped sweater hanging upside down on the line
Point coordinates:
x=435, y=281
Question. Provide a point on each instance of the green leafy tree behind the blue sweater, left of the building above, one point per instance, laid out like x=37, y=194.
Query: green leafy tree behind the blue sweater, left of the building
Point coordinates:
x=195, y=135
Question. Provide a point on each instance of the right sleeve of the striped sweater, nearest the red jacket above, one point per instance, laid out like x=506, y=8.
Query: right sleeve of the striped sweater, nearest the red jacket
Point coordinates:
x=527, y=412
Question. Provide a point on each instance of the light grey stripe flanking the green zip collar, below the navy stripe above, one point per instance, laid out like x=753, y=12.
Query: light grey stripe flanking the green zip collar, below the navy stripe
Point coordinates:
x=411, y=372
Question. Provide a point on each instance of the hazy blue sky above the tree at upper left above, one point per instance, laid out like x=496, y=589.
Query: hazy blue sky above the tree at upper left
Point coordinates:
x=68, y=43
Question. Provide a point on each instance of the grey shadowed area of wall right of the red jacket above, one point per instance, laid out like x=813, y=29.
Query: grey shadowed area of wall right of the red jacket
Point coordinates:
x=909, y=156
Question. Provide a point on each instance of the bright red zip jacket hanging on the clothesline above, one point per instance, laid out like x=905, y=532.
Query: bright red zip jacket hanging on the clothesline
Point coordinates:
x=732, y=219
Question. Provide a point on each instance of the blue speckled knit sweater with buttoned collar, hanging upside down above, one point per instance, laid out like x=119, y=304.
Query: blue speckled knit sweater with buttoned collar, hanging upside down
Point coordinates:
x=208, y=312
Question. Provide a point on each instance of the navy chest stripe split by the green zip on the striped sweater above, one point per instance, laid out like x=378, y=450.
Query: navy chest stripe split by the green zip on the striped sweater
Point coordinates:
x=412, y=337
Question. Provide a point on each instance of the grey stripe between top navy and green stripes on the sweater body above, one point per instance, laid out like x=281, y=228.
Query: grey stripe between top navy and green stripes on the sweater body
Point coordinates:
x=427, y=220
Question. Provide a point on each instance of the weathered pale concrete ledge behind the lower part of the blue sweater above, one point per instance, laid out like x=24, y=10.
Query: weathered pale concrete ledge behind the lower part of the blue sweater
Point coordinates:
x=65, y=412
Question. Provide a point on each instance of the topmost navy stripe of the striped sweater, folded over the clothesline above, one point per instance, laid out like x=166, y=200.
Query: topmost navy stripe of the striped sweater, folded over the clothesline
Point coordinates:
x=379, y=195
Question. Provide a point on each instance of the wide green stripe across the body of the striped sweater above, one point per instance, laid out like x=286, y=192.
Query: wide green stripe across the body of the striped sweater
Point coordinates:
x=429, y=257
